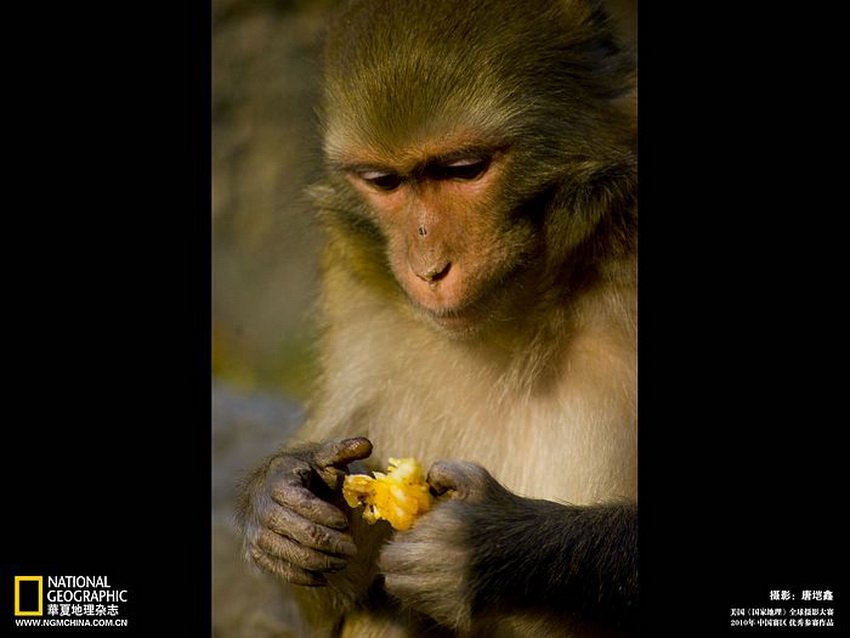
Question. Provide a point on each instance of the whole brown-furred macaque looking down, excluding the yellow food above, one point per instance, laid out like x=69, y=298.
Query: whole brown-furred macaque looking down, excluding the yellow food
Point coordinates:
x=479, y=314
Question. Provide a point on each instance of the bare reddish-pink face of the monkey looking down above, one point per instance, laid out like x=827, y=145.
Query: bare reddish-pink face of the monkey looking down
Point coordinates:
x=451, y=242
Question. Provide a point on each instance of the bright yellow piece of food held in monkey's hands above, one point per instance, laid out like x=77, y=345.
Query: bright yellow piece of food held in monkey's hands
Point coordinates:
x=399, y=496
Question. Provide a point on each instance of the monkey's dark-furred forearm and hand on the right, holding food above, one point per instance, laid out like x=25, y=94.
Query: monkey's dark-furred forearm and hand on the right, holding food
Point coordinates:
x=487, y=550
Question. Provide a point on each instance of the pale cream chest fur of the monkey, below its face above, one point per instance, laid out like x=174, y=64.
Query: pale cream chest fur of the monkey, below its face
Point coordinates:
x=562, y=427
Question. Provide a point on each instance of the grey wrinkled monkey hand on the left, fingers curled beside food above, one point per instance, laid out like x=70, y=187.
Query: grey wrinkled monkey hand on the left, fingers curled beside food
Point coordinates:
x=288, y=511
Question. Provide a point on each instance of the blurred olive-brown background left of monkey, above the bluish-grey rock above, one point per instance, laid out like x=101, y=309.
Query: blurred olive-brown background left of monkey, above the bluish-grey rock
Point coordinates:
x=264, y=152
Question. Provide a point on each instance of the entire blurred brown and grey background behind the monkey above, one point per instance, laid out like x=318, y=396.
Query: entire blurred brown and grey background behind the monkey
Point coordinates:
x=265, y=268
